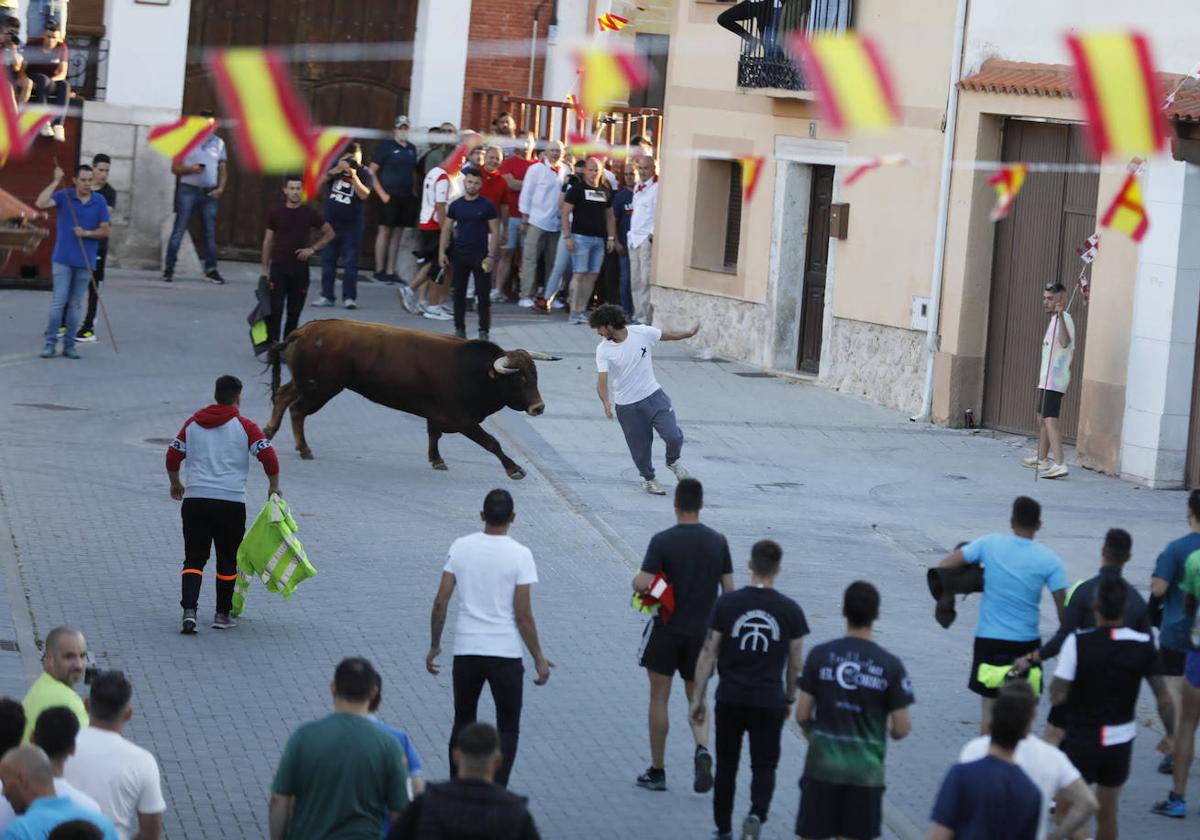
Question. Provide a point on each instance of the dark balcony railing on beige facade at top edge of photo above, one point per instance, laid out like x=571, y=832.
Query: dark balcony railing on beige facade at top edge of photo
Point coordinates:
x=765, y=62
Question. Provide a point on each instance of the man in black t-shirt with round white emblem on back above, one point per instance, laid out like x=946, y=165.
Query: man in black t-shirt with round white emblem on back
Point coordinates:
x=753, y=634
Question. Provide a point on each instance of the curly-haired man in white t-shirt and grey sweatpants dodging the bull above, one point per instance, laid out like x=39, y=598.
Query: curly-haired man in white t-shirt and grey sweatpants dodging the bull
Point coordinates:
x=625, y=362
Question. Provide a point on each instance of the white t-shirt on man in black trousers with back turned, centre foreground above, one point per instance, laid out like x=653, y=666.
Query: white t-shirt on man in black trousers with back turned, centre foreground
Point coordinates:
x=488, y=571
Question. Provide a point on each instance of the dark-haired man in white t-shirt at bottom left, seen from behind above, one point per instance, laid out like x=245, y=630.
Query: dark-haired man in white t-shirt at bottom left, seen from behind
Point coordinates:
x=117, y=773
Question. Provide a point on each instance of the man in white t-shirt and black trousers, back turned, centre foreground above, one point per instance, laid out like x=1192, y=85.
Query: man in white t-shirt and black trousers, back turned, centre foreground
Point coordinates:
x=494, y=575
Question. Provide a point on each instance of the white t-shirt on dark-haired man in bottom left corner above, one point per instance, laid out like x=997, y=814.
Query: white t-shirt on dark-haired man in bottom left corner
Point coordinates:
x=122, y=777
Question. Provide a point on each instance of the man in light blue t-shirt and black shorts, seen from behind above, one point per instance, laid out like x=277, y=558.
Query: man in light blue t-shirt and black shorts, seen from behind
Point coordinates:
x=1016, y=571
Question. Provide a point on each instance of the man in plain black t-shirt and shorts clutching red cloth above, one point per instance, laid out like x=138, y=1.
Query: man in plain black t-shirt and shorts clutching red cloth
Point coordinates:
x=695, y=561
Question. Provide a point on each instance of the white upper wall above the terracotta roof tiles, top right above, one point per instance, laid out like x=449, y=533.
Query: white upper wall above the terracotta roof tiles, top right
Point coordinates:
x=1033, y=31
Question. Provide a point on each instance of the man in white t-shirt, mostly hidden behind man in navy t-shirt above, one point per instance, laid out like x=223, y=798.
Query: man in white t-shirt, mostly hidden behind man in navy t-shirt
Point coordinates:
x=1048, y=767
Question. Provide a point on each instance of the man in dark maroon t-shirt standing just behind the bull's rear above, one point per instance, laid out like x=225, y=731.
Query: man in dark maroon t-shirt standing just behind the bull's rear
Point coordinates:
x=286, y=253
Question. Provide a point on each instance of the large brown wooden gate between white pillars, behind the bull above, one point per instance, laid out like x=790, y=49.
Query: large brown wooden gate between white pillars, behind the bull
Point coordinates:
x=368, y=94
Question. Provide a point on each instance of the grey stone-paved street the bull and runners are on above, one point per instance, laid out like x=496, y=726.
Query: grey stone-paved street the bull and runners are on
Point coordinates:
x=849, y=489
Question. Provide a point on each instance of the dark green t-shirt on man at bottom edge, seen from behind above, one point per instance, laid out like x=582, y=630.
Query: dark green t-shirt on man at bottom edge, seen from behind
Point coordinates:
x=343, y=772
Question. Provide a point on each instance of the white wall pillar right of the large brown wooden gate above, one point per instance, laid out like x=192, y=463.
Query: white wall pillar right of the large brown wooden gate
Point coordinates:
x=440, y=62
